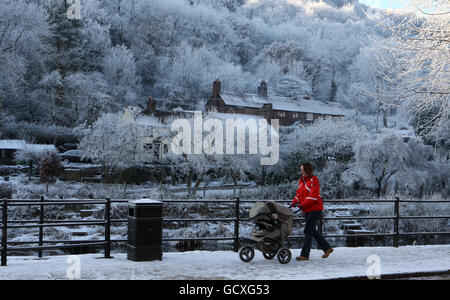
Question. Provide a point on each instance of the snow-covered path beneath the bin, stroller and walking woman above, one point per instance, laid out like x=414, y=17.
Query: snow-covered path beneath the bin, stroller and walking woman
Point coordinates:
x=343, y=262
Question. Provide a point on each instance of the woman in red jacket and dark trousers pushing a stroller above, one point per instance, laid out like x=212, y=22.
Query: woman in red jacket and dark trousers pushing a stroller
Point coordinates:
x=309, y=201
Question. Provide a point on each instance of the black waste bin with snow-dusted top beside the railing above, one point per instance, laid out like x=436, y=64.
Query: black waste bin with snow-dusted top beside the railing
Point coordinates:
x=144, y=230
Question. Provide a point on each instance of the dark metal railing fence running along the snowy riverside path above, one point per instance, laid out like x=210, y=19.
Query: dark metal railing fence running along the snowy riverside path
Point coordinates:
x=107, y=221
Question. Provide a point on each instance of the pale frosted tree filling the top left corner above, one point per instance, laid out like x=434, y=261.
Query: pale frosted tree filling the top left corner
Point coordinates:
x=23, y=29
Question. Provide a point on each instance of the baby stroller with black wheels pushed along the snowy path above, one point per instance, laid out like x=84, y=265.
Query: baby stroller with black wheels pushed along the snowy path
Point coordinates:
x=274, y=224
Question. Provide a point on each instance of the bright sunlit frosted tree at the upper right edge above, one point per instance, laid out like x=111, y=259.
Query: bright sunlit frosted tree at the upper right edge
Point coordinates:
x=420, y=47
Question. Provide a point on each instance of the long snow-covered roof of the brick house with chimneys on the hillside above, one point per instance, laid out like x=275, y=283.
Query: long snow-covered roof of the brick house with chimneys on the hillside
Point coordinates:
x=284, y=103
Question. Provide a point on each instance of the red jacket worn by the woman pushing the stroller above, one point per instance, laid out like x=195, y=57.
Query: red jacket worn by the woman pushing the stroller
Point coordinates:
x=308, y=194
